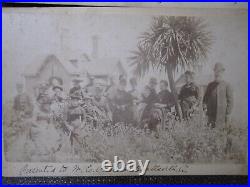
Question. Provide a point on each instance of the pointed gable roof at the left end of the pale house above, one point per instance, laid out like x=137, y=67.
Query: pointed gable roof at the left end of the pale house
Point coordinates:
x=35, y=67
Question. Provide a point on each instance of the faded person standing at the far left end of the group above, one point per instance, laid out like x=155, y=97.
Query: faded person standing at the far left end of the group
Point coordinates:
x=22, y=103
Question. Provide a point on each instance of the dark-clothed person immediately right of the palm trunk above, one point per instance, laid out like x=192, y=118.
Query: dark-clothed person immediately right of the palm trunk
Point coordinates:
x=189, y=95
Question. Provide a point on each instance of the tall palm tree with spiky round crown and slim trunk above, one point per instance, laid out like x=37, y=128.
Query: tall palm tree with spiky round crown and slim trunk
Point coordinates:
x=172, y=44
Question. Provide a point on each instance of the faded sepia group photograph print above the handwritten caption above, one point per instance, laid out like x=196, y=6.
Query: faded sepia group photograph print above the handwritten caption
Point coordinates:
x=82, y=85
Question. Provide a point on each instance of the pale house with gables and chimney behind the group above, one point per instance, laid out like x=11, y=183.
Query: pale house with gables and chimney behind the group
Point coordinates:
x=70, y=67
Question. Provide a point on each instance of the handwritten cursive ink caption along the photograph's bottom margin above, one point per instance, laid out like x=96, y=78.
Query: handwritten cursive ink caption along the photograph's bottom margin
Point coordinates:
x=30, y=169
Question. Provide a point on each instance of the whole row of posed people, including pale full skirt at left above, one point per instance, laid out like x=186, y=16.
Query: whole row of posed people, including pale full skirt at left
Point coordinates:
x=56, y=113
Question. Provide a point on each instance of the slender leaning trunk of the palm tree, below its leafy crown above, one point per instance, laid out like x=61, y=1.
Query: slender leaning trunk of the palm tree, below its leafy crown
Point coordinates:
x=173, y=90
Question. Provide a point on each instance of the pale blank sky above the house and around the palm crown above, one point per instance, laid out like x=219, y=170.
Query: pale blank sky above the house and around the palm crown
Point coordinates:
x=31, y=34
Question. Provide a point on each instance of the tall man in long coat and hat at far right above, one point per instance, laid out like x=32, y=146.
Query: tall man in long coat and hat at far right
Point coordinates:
x=218, y=99
